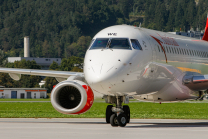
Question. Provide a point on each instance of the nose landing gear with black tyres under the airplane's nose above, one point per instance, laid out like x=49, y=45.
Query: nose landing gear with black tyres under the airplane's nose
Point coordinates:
x=118, y=115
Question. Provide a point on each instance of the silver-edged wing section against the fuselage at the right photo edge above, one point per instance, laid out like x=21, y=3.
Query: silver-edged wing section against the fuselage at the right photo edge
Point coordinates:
x=196, y=82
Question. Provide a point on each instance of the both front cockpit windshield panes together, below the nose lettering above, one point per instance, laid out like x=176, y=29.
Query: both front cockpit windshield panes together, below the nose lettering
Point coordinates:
x=111, y=43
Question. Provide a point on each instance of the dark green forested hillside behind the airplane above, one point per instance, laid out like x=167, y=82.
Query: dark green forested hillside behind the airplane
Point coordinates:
x=64, y=28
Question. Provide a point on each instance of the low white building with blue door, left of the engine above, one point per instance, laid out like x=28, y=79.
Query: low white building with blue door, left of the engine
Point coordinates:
x=23, y=93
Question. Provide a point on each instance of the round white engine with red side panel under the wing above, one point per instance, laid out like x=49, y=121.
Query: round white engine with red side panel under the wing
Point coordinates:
x=72, y=97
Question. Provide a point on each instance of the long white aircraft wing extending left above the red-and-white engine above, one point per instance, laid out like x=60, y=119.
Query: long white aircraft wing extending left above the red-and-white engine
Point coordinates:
x=15, y=73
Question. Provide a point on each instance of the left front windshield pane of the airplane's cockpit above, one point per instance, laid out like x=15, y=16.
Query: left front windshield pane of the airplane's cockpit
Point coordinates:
x=100, y=43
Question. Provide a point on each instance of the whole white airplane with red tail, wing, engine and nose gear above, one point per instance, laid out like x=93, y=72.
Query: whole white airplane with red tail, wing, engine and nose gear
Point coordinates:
x=123, y=61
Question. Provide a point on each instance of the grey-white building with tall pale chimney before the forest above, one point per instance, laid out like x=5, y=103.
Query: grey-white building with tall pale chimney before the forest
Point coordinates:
x=43, y=62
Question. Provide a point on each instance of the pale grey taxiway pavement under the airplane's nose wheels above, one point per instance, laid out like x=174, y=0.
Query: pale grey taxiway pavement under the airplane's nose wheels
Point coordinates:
x=69, y=128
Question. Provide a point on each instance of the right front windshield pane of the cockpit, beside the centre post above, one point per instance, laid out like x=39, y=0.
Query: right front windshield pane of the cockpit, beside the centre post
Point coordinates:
x=117, y=43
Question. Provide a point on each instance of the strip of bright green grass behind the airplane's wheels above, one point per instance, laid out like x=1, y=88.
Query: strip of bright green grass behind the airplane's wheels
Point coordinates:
x=140, y=110
